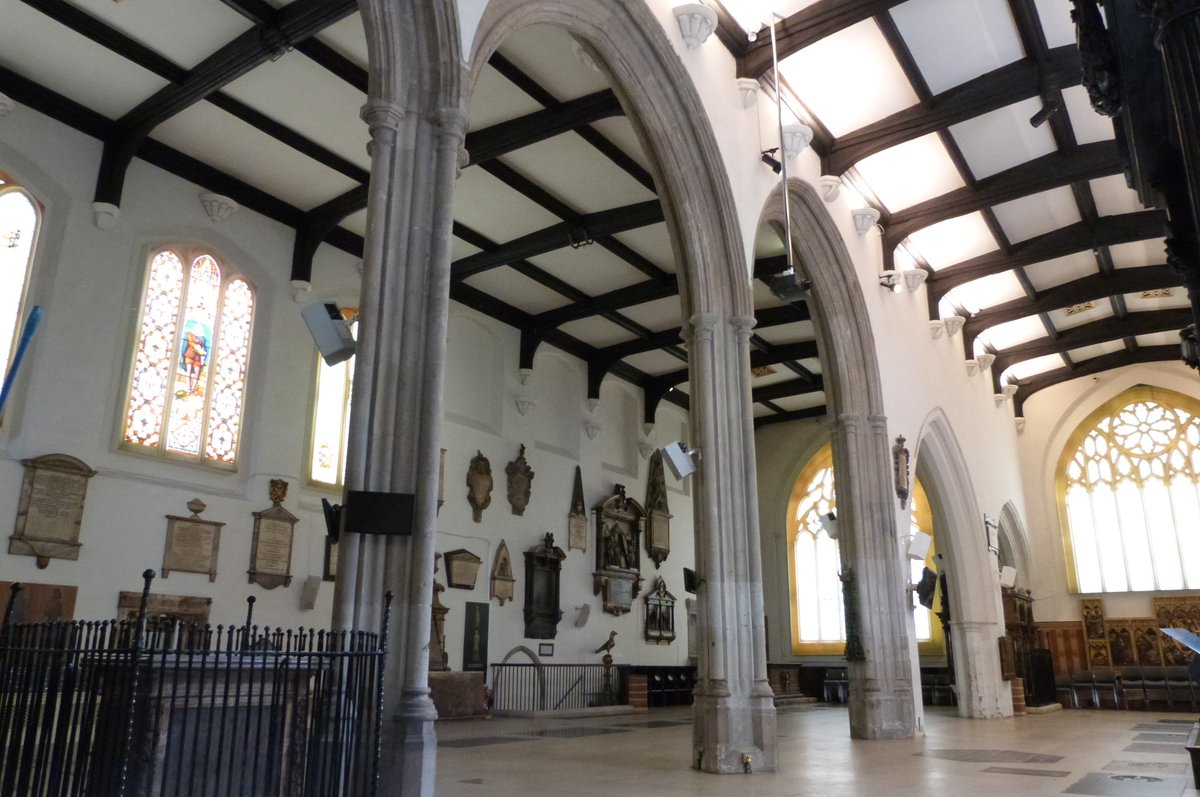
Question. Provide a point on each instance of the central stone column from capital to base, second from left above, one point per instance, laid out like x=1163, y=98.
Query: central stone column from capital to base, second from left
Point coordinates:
x=735, y=711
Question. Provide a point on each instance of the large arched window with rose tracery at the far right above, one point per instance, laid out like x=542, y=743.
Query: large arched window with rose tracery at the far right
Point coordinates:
x=1127, y=487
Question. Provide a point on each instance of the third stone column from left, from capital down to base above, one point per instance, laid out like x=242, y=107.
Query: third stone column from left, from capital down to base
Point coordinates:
x=881, y=690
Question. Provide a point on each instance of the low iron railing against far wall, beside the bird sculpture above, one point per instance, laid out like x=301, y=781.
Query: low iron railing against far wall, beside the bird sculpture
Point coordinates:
x=557, y=687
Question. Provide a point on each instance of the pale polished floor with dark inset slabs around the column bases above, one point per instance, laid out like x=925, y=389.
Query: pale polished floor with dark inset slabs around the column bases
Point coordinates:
x=1079, y=752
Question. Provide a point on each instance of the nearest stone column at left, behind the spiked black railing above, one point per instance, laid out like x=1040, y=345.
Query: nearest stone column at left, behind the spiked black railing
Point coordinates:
x=397, y=415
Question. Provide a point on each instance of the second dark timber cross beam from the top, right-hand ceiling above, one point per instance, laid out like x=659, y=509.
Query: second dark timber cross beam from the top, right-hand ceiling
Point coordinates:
x=998, y=89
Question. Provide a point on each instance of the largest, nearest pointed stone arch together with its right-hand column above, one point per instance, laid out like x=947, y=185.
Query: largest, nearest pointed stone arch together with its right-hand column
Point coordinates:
x=734, y=706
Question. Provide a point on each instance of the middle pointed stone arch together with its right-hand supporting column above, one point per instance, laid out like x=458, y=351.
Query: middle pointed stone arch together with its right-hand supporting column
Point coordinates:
x=881, y=693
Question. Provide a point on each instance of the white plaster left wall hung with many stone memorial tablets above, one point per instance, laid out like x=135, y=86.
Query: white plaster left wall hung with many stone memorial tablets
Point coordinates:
x=69, y=400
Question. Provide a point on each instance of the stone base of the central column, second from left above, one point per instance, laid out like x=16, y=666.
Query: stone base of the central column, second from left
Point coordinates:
x=727, y=729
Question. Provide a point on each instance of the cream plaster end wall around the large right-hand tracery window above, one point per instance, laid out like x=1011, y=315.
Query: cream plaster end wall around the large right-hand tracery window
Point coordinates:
x=1052, y=416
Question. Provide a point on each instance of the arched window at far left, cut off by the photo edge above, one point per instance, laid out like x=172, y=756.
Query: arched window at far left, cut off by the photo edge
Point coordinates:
x=20, y=224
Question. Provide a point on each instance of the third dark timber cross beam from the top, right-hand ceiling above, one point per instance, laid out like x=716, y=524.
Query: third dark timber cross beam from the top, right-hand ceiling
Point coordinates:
x=1045, y=173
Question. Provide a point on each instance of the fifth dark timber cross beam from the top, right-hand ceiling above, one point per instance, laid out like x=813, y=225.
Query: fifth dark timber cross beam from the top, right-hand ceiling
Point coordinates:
x=1090, y=289
